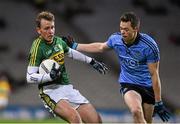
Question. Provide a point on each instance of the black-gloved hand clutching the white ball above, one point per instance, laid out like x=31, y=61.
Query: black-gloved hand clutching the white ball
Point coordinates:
x=55, y=72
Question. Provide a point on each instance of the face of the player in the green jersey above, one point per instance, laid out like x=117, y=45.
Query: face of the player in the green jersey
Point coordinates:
x=46, y=30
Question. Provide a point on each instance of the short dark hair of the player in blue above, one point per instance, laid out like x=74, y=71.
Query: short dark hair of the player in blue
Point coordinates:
x=130, y=16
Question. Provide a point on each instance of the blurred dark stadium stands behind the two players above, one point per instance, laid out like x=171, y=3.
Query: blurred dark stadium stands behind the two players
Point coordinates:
x=87, y=21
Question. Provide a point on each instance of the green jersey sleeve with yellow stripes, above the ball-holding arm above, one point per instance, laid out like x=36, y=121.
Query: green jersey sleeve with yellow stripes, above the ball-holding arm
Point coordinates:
x=35, y=55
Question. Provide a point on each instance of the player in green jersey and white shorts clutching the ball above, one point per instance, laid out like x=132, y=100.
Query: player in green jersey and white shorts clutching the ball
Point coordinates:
x=56, y=91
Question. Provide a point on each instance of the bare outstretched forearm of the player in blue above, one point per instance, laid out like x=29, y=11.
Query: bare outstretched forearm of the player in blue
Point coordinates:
x=92, y=47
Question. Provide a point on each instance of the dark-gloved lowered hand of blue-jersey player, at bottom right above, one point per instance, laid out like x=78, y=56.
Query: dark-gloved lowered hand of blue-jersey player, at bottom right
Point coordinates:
x=160, y=109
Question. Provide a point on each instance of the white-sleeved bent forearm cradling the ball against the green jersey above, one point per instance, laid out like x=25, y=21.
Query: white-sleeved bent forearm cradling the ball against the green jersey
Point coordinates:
x=33, y=77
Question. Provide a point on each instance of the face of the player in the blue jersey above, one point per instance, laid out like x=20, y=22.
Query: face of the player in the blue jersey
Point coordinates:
x=128, y=32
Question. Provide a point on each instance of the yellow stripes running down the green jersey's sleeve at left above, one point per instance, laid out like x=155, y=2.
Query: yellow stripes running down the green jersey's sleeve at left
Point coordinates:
x=34, y=51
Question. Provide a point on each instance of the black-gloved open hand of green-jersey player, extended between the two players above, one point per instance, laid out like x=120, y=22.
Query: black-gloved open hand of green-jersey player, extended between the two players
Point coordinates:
x=99, y=66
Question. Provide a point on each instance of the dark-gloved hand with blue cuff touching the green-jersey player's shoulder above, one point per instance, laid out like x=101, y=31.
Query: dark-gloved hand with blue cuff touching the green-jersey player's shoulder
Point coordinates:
x=70, y=42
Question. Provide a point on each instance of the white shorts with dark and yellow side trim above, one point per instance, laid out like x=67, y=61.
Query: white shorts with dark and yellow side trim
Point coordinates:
x=52, y=94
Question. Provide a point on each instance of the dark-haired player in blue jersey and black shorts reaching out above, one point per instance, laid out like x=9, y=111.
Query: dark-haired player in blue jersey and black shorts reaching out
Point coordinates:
x=139, y=59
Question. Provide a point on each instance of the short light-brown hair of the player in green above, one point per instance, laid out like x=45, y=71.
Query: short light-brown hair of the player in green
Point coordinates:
x=44, y=15
